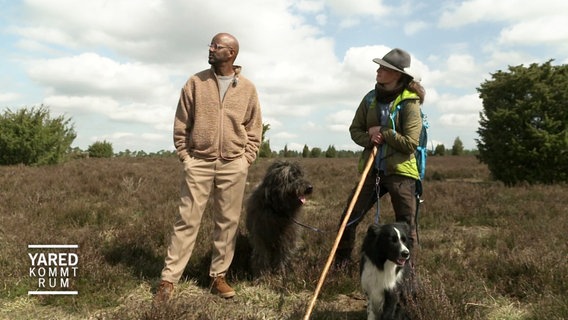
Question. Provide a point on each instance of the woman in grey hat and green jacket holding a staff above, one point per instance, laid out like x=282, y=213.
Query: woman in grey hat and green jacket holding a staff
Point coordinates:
x=388, y=117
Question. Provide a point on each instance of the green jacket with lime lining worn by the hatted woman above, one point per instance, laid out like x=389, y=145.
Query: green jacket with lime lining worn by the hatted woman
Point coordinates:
x=401, y=134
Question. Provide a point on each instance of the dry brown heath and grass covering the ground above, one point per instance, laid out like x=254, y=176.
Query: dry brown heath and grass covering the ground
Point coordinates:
x=486, y=251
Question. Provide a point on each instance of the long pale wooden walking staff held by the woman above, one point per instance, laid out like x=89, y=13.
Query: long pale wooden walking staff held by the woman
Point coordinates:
x=340, y=233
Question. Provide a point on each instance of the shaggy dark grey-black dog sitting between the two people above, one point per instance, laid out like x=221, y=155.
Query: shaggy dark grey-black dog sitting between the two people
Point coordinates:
x=271, y=210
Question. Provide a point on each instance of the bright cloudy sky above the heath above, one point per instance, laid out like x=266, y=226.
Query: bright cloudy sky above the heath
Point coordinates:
x=116, y=67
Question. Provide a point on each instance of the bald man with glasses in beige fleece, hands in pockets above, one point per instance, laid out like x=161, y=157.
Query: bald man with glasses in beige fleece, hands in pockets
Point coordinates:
x=217, y=133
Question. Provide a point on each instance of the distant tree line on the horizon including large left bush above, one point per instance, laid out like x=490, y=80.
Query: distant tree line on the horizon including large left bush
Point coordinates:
x=30, y=136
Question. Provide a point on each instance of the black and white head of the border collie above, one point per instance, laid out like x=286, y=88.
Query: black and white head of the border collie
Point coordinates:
x=385, y=243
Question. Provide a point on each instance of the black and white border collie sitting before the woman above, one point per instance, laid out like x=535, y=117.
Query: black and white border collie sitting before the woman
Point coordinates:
x=384, y=267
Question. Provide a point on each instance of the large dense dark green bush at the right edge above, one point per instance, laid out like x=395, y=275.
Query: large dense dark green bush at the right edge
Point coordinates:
x=523, y=127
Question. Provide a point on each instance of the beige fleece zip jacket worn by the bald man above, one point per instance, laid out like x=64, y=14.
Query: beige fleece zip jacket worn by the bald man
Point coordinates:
x=206, y=127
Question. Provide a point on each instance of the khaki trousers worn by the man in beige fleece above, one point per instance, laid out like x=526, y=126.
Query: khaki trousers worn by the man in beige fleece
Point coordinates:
x=225, y=181
